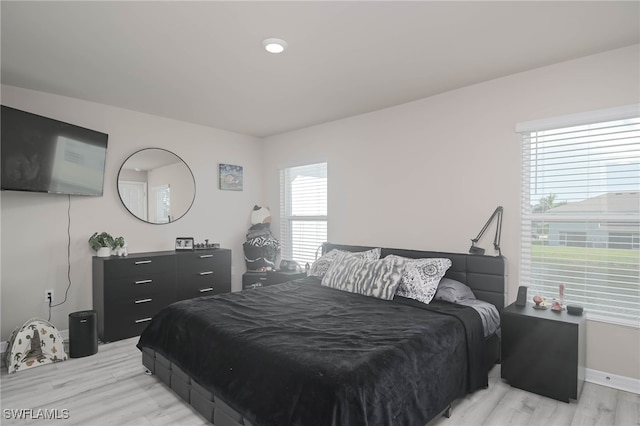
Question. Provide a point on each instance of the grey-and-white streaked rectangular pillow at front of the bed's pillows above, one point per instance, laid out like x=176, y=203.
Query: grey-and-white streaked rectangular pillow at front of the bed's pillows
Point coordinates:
x=376, y=278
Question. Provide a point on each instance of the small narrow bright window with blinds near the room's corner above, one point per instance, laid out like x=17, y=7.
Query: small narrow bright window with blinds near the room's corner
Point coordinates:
x=303, y=207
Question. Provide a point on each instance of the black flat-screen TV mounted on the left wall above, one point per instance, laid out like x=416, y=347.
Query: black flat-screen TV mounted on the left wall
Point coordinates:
x=40, y=154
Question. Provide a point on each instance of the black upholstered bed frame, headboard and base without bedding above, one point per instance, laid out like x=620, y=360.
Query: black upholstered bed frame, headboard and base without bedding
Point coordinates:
x=485, y=275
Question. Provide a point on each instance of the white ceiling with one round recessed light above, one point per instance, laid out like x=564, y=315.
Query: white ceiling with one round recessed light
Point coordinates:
x=202, y=62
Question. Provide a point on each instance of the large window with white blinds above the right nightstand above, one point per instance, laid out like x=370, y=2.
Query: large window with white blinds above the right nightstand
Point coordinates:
x=581, y=211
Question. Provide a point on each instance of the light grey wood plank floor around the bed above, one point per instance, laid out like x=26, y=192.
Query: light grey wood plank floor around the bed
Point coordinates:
x=110, y=388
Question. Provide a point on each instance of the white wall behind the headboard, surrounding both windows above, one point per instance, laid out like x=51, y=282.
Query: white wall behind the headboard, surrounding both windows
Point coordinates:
x=427, y=175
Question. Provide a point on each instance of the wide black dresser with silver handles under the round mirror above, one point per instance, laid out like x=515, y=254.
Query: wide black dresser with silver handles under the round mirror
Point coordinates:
x=129, y=291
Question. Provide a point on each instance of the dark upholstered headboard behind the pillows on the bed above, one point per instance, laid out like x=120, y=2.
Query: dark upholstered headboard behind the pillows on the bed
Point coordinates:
x=485, y=275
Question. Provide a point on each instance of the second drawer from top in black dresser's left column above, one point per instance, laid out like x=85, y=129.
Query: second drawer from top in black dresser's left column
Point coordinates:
x=145, y=285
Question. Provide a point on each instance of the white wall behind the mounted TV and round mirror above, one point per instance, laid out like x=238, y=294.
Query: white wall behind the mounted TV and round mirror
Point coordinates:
x=34, y=226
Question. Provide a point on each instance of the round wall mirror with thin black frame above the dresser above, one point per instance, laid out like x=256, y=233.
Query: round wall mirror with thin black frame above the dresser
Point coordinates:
x=156, y=186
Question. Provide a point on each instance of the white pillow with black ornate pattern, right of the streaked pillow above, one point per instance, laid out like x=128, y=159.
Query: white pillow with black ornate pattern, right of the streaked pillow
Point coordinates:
x=421, y=277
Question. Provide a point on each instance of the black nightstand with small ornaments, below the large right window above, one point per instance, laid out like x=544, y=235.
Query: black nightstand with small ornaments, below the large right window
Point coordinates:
x=543, y=351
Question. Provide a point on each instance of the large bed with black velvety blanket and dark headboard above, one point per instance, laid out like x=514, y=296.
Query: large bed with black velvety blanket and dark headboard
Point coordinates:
x=304, y=353
